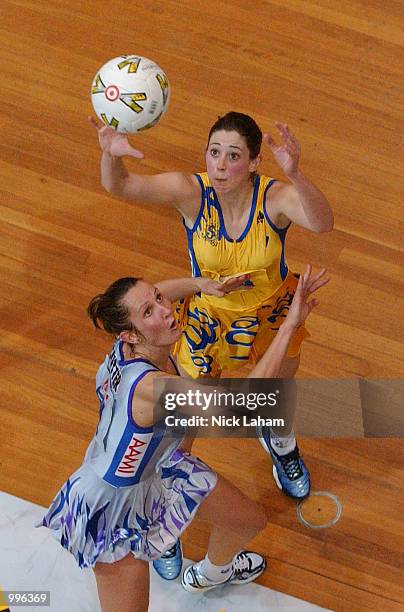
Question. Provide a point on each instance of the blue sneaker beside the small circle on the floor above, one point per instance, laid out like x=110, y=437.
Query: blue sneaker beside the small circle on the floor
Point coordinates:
x=289, y=471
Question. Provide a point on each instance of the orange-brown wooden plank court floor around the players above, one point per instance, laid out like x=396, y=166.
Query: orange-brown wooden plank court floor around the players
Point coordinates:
x=332, y=71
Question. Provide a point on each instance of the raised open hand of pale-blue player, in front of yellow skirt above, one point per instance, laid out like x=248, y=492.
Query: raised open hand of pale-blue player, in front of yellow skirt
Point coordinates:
x=301, y=307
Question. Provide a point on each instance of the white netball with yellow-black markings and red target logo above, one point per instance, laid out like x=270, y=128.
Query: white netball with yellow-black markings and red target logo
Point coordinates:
x=130, y=93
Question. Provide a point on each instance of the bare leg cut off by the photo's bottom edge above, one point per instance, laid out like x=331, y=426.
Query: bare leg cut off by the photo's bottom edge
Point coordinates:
x=123, y=586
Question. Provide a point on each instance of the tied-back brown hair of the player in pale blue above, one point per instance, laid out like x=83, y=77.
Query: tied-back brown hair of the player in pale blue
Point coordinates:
x=108, y=310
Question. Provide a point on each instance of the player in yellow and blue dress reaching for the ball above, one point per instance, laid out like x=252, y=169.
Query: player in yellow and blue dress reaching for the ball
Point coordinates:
x=236, y=222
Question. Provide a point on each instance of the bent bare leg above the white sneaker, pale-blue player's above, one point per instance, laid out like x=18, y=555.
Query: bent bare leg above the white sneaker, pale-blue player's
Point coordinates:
x=236, y=519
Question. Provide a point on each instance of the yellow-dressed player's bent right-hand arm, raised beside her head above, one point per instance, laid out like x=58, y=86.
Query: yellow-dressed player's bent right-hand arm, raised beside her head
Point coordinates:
x=300, y=200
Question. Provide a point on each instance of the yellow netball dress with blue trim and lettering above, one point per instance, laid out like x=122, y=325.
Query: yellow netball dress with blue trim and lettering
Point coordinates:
x=226, y=332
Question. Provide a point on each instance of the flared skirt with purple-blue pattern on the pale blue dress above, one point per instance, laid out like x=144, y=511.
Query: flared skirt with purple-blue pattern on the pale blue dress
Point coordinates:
x=97, y=522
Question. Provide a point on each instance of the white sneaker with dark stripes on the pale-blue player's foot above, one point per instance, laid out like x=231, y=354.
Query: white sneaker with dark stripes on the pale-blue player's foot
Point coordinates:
x=246, y=567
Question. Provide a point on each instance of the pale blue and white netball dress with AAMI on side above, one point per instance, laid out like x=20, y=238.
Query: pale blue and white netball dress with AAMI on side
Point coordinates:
x=136, y=491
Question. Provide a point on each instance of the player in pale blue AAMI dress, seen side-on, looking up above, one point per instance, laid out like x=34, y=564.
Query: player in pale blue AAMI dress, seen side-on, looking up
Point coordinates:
x=137, y=490
